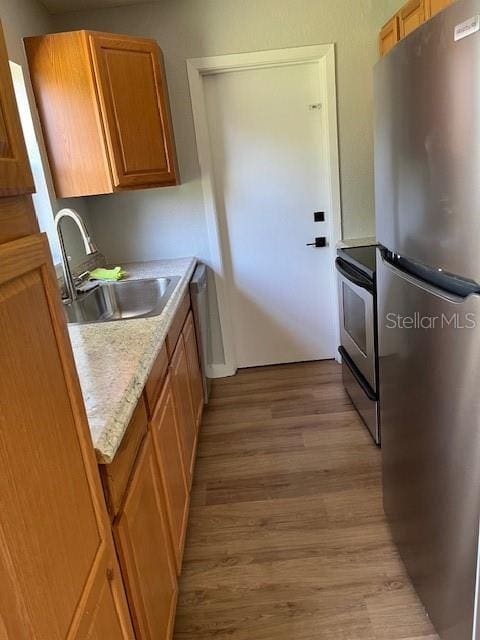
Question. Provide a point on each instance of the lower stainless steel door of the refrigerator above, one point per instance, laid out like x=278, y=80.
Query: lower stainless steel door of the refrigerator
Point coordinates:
x=429, y=374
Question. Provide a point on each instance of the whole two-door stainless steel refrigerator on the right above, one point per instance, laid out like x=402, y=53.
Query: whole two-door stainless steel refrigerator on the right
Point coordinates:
x=427, y=184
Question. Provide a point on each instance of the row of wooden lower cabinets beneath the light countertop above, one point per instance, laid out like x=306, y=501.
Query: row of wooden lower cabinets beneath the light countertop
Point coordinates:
x=147, y=485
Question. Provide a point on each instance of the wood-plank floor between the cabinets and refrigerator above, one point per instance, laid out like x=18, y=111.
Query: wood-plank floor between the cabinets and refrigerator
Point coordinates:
x=287, y=538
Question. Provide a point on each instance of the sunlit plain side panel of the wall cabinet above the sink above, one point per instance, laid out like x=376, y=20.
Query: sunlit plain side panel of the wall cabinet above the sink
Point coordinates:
x=66, y=97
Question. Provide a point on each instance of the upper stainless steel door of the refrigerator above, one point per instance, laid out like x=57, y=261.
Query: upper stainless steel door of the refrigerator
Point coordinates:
x=427, y=143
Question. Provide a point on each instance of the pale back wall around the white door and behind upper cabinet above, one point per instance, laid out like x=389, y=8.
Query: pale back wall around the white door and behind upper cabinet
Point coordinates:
x=170, y=221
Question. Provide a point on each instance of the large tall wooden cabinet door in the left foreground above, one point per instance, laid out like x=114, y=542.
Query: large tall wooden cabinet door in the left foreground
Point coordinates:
x=55, y=540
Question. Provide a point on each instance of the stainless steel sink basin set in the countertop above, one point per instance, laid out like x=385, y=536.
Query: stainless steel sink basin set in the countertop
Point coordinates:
x=121, y=300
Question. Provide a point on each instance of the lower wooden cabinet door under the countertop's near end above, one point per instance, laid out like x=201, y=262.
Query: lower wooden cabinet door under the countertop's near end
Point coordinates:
x=145, y=551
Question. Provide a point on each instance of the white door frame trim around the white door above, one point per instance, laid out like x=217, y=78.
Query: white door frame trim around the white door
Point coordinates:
x=220, y=263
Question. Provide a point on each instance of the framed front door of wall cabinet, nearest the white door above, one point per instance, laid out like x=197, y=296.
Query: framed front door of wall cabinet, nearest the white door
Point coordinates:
x=134, y=102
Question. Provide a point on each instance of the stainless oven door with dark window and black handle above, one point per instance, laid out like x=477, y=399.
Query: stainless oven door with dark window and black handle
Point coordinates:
x=357, y=325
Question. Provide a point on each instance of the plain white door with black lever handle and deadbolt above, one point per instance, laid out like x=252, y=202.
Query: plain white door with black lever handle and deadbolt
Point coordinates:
x=265, y=130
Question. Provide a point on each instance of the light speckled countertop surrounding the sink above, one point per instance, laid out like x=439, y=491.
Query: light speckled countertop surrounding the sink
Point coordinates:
x=114, y=359
